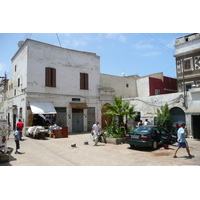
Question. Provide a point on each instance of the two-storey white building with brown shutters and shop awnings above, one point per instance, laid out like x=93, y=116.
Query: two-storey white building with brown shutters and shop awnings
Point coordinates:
x=51, y=80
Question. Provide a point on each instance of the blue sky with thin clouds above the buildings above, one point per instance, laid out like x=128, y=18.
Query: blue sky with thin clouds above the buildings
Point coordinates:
x=131, y=53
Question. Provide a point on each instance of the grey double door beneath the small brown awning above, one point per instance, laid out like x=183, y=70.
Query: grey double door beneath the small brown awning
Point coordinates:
x=77, y=120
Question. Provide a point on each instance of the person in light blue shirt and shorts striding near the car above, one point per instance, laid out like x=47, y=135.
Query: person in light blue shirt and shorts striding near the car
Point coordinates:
x=182, y=143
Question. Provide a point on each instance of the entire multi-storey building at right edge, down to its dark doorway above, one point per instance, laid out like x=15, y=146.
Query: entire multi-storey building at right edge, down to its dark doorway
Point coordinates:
x=187, y=56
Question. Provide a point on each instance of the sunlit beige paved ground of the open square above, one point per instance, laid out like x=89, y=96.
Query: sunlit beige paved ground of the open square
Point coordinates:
x=58, y=152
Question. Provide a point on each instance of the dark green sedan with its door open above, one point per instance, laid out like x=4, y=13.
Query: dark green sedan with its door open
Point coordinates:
x=150, y=136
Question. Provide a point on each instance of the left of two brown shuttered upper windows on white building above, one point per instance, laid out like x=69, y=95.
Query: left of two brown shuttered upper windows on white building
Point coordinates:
x=50, y=77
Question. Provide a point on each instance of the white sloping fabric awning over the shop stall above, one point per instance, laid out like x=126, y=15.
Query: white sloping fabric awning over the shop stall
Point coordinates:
x=42, y=108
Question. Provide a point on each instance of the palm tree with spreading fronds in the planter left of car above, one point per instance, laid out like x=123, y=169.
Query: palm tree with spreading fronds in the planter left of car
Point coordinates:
x=118, y=111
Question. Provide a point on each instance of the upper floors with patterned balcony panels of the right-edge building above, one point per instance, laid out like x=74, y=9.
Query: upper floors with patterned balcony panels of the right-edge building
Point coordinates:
x=187, y=54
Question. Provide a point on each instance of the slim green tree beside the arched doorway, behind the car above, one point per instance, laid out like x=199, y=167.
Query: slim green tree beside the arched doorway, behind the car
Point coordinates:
x=163, y=118
